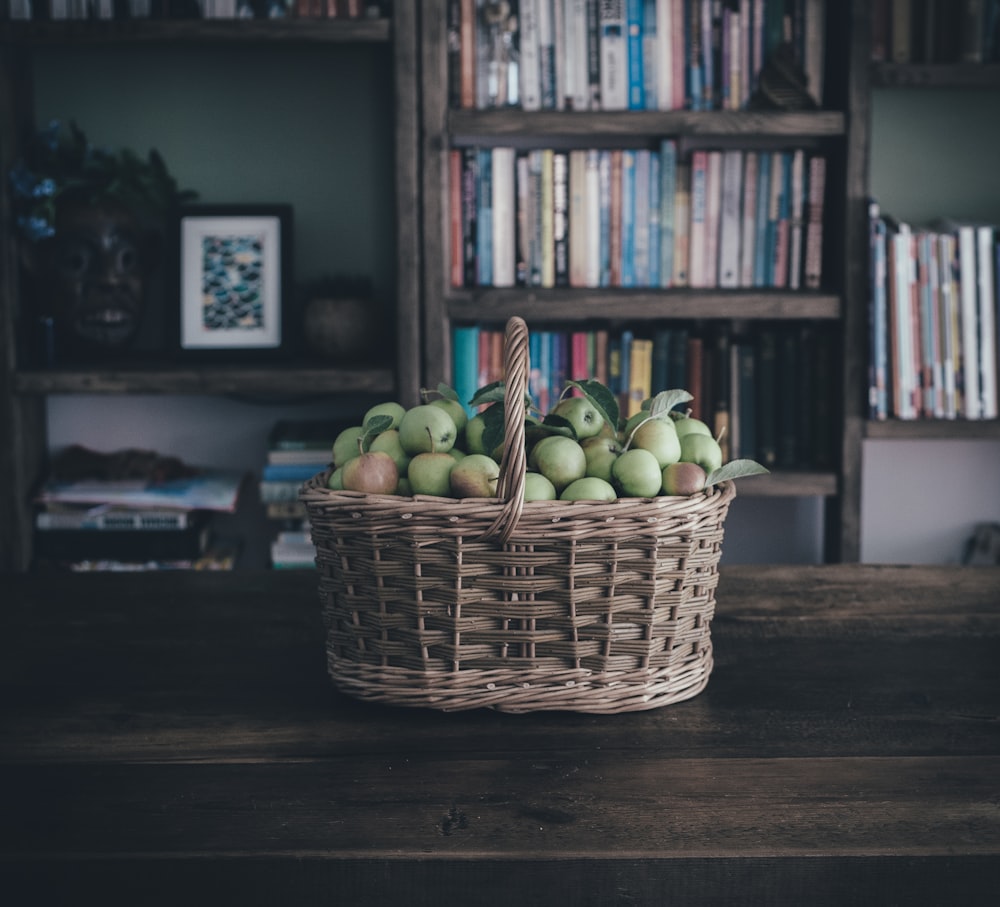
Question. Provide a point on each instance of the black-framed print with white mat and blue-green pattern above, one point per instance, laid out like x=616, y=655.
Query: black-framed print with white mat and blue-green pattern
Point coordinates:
x=234, y=278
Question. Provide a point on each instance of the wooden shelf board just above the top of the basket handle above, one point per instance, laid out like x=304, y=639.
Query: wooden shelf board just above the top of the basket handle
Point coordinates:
x=575, y=304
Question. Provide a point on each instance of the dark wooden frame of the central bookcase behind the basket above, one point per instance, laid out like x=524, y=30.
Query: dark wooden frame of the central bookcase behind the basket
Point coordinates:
x=834, y=131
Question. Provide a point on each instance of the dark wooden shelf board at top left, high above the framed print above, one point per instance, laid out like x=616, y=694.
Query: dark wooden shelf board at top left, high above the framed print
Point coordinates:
x=88, y=31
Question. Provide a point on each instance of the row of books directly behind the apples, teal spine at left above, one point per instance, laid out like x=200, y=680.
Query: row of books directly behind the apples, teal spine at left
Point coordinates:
x=768, y=390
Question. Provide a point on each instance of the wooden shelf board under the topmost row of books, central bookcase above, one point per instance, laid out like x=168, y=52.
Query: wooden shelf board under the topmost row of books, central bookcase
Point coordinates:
x=513, y=121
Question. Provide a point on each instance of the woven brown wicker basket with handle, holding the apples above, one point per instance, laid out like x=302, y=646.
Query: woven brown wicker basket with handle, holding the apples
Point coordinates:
x=459, y=604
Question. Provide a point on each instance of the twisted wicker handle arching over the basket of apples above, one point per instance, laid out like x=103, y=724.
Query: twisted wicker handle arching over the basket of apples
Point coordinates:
x=514, y=462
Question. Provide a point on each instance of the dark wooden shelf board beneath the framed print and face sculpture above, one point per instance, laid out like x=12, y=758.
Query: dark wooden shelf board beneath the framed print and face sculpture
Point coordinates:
x=258, y=381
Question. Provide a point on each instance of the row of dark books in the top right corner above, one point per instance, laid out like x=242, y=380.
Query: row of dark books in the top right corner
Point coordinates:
x=936, y=31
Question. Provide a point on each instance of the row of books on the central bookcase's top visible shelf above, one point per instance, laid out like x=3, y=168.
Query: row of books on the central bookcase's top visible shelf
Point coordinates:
x=625, y=54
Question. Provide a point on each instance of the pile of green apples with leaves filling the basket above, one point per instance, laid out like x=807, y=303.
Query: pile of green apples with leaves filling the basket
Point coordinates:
x=582, y=450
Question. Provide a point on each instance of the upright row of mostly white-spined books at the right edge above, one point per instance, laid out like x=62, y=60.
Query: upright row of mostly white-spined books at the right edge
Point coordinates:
x=933, y=315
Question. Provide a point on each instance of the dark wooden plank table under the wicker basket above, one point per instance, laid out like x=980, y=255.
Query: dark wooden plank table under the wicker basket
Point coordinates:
x=173, y=738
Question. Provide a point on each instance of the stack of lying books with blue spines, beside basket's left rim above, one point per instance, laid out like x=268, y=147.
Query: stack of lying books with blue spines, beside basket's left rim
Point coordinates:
x=296, y=451
